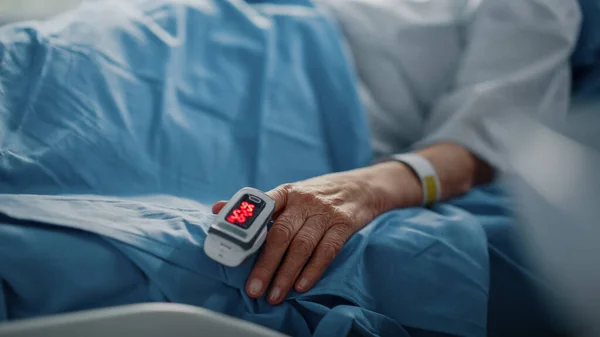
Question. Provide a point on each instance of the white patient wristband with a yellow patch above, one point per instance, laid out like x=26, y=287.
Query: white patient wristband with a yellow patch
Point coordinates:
x=430, y=182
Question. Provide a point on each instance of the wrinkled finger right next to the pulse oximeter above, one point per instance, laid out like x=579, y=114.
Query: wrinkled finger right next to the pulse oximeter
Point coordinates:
x=277, y=242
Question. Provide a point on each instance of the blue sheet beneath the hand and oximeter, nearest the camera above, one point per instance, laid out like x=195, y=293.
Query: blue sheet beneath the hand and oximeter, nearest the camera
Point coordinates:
x=412, y=268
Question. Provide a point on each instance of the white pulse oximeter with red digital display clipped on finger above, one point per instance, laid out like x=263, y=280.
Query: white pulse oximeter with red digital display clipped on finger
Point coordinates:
x=240, y=228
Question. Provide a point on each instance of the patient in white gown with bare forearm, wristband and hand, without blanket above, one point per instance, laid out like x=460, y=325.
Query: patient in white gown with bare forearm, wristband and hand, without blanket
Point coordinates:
x=430, y=74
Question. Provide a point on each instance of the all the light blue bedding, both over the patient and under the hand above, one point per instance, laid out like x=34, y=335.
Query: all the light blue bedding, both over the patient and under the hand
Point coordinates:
x=188, y=102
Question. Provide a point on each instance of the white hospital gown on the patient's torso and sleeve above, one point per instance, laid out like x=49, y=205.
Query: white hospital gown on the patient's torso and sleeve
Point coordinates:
x=434, y=70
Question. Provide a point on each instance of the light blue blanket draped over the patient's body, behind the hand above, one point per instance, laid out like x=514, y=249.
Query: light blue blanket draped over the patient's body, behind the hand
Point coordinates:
x=193, y=100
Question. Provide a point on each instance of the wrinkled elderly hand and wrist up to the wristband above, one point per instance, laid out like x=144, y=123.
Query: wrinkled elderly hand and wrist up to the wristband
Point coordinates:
x=315, y=217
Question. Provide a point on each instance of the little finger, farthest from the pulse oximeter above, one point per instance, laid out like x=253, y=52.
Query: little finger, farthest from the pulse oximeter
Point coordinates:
x=331, y=244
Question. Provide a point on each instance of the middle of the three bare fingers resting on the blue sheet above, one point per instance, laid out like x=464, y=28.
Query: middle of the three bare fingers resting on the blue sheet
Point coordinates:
x=300, y=250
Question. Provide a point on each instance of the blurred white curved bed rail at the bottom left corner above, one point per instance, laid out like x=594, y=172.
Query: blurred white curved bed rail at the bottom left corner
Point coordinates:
x=147, y=320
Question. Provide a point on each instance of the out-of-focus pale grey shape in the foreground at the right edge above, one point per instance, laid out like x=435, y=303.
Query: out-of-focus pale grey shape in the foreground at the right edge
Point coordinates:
x=554, y=181
